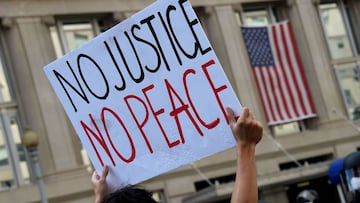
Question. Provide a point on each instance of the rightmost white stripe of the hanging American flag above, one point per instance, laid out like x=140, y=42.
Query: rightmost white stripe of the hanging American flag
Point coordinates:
x=296, y=66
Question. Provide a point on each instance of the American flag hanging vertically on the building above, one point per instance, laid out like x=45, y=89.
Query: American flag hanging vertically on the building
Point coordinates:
x=278, y=73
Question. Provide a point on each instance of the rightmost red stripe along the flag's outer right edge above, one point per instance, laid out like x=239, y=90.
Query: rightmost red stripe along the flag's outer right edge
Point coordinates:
x=308, y=97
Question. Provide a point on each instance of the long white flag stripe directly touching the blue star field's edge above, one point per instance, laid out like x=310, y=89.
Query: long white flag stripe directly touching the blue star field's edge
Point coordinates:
x=281, y=76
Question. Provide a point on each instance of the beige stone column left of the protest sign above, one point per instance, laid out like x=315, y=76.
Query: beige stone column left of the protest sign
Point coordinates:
x=29, y=49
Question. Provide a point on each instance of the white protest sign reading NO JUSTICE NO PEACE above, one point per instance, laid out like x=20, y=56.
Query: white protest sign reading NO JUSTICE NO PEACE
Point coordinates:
x=148, y=95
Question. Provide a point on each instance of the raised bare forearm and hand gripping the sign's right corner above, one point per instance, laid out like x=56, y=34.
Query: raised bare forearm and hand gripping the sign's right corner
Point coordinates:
x=247, y=132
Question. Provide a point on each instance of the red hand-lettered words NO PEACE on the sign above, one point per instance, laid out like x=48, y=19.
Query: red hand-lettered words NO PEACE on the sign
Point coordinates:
x=187, y=109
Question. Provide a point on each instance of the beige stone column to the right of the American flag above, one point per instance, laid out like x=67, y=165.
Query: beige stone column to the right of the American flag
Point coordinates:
x=316, y=60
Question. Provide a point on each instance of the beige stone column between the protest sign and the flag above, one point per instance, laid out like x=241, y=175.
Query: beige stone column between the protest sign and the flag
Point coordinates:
x=227, y=42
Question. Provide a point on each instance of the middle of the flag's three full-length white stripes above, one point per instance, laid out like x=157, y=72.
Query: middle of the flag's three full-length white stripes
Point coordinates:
x=293, y=91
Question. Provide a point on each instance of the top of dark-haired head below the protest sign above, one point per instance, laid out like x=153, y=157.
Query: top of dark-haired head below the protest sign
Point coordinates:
x=130, y=194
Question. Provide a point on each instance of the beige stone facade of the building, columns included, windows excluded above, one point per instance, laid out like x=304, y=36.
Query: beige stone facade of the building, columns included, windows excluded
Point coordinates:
x=29, y=47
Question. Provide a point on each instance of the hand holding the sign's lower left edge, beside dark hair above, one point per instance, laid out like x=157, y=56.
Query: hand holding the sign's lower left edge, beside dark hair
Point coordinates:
x=99, y=184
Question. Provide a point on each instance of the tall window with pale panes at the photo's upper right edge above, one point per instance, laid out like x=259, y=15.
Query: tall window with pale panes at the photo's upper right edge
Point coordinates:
x=335, y=17
